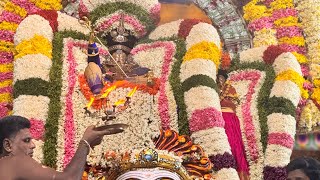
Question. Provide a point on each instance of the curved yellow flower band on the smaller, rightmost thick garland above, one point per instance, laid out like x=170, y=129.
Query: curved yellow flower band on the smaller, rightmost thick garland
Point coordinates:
x=295, y=77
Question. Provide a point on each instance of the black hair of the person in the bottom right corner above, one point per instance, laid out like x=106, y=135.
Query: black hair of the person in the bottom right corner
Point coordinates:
x=310, y=166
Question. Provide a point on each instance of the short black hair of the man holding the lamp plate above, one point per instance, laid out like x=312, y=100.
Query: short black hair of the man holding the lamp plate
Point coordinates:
x=10, y=126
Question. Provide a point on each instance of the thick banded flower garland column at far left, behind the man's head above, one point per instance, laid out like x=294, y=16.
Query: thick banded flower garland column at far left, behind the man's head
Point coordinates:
x=32, y=66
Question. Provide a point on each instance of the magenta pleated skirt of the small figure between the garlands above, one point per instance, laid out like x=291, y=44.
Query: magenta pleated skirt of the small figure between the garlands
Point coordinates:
x=232, y=128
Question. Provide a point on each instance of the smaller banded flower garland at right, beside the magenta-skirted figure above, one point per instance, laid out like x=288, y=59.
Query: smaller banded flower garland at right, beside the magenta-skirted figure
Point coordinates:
x=282, y=99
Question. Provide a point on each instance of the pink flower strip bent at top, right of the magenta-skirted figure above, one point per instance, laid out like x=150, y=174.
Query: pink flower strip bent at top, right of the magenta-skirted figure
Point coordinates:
x=249, y=129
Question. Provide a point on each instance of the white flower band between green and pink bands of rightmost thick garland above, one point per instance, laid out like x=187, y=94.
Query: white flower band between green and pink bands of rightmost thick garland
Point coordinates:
x=281, y=123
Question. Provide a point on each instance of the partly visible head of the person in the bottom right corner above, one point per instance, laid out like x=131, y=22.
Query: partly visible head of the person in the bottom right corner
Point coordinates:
x=303, y=168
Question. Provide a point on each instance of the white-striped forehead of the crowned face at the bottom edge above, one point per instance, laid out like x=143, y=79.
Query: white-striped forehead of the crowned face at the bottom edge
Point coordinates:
x=149, y=174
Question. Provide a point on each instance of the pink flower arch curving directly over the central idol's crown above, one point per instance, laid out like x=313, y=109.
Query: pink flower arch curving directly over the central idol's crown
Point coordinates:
x=138, y=27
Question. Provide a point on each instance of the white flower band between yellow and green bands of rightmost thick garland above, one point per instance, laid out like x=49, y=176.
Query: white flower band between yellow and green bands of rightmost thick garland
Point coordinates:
x=286, y=89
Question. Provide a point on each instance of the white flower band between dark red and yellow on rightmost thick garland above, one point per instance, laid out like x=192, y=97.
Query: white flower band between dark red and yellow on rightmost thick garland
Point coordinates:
x=286, y=61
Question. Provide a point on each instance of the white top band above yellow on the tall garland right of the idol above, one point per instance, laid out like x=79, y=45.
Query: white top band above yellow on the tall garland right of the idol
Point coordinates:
x=202, y=32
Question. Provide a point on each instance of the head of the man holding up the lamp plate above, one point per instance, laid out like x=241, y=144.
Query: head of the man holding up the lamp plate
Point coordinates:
x=15, y=137
